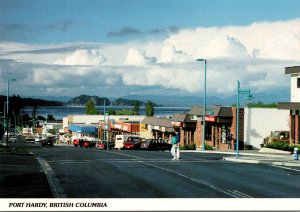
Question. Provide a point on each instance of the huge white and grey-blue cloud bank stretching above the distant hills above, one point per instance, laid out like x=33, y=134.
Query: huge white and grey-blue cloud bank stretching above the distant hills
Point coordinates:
x=255, y=54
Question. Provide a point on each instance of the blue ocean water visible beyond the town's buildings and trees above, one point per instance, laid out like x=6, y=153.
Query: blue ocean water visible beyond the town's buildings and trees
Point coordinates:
x=63, y=111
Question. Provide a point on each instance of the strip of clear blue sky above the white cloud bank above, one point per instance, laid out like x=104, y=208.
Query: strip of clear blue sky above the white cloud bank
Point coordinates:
x=45, y=21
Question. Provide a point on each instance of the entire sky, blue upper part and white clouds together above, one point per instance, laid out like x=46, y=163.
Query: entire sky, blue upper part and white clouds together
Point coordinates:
x=116, y=48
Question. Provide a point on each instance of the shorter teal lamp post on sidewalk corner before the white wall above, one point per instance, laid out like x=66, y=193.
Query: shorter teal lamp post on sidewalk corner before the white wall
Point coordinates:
x=249, y=97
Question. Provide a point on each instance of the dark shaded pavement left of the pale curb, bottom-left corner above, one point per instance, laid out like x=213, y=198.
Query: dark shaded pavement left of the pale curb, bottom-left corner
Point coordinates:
x=21, y=176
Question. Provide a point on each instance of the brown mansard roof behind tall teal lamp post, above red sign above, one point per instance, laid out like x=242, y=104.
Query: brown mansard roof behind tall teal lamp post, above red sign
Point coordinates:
x=215, y=110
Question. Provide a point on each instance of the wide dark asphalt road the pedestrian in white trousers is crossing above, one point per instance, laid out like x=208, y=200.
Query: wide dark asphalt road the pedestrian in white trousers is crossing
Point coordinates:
x=93, y=173
